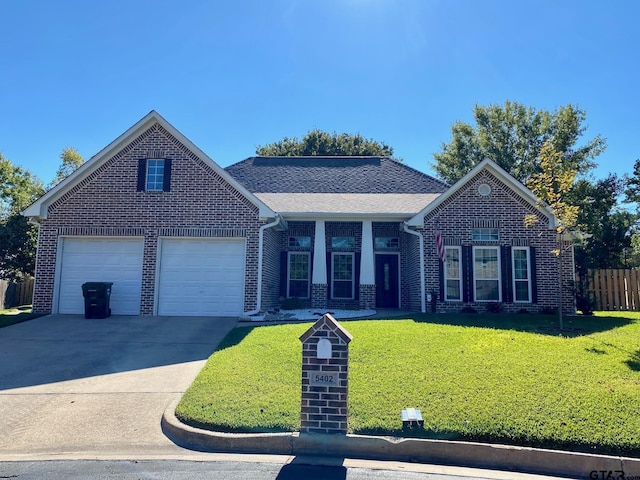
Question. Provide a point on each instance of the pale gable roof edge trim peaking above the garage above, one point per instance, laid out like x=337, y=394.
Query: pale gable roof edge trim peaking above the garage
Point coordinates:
x=39, y=208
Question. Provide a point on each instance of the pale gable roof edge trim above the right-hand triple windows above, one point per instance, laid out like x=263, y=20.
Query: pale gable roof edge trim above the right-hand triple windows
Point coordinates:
x=517, y=187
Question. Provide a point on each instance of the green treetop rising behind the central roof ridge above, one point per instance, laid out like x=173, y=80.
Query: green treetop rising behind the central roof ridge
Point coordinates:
x=320, y=143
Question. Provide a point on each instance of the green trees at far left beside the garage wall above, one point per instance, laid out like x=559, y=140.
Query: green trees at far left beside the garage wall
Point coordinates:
x=18, y=238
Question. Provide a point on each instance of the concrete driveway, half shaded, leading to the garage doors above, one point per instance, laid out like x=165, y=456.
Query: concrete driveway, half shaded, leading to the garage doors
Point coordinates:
x=72, y=387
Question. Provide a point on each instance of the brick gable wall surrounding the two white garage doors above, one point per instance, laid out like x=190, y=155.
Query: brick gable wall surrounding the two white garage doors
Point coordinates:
x=200, y=203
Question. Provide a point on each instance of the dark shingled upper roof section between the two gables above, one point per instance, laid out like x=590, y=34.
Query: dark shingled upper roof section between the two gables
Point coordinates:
x=371, y=175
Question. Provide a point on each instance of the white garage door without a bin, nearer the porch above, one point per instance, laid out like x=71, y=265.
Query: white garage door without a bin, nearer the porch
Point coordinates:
x=201, y=277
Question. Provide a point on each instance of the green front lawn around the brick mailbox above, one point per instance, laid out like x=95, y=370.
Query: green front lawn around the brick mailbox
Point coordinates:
x=506, y=378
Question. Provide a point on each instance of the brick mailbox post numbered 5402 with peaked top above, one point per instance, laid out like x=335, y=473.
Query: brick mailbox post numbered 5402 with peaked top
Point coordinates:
x=325, y=377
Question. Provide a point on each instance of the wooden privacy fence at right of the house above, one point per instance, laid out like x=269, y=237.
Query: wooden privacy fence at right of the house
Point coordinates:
x=614, y=289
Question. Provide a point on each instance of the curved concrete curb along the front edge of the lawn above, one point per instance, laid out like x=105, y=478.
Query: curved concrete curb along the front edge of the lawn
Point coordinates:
x=463, y=454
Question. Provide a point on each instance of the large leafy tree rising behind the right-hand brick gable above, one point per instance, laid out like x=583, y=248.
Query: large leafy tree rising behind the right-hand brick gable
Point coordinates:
x=513, y=135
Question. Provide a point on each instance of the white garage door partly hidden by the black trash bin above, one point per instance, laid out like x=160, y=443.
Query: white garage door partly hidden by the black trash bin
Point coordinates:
x=117, y=260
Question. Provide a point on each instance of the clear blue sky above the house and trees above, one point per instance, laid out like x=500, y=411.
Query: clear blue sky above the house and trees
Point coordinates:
x=235, y=74
